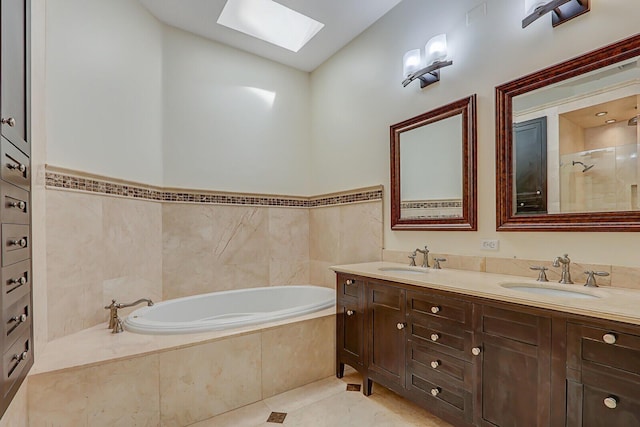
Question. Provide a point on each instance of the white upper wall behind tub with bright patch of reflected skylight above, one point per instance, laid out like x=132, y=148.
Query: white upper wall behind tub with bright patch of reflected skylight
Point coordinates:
x=233, y=121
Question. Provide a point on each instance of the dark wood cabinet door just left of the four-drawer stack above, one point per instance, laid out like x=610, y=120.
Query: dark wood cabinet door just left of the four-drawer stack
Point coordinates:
x=387, y=337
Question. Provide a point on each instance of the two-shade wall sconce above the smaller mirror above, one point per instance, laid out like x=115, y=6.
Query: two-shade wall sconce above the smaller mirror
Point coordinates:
x=426, y=70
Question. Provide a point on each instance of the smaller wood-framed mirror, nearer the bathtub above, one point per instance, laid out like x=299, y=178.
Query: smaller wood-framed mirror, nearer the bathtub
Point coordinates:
x=433, y=169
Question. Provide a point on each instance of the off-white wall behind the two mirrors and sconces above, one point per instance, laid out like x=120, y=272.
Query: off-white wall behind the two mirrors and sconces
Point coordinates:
x=356, y=95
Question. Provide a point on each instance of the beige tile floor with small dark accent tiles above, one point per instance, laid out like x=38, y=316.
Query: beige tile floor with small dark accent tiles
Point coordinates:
x=327, y=403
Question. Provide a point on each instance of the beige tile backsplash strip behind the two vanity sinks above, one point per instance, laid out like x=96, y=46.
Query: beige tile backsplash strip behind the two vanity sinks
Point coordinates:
x=619, y=277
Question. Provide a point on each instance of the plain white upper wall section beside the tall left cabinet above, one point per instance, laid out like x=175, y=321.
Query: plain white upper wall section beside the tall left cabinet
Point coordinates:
x=104, y=77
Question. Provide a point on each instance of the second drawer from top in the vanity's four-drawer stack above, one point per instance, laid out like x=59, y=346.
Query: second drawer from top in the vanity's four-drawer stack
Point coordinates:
x=441, y=336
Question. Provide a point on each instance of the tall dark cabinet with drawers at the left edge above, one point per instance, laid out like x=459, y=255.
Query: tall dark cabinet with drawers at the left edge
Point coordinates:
x=16, y=340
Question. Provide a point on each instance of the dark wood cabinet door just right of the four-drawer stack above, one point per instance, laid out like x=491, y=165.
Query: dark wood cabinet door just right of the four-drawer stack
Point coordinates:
x=514, y=376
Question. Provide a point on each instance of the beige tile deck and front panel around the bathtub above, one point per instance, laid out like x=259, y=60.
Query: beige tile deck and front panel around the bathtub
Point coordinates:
x=95, y=378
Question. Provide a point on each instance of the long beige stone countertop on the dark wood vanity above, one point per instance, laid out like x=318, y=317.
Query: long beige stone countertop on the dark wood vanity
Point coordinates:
x=622, y=305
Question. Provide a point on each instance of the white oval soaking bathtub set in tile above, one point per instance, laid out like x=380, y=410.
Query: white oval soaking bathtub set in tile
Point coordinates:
x=228, y=309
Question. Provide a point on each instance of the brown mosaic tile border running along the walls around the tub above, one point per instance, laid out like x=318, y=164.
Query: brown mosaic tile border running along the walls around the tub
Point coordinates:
x=140, y=191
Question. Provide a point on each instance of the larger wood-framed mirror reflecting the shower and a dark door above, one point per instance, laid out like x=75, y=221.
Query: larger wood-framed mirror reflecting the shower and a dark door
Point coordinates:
x=568, y=142
